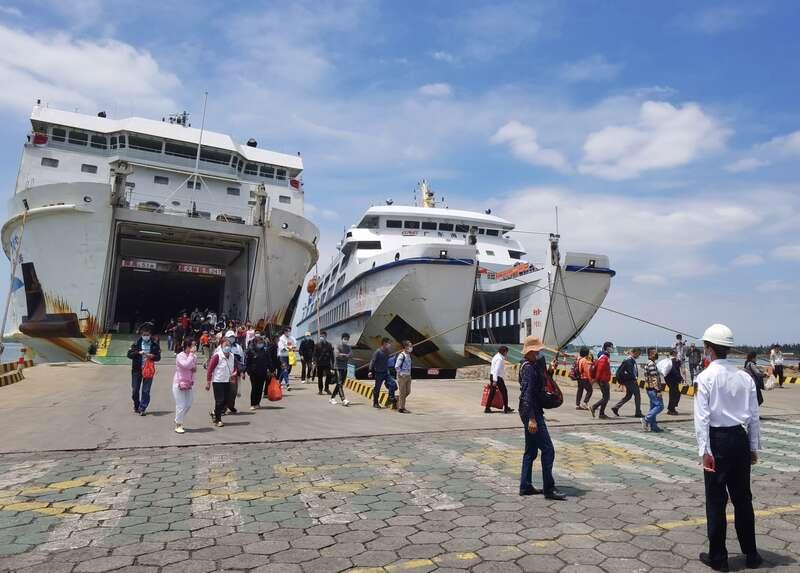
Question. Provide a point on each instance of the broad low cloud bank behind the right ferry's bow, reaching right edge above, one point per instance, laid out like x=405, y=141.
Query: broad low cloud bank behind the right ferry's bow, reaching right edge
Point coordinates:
x=655, y=242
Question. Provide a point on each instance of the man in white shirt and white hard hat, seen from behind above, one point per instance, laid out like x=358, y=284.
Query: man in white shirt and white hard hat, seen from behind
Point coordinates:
x=728, y=438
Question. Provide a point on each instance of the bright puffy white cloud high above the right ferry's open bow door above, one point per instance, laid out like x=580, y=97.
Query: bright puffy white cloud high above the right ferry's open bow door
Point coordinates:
x=662, y=137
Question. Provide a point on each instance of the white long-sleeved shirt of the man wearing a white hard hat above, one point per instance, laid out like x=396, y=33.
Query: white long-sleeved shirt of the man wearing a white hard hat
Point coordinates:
x=726, y=396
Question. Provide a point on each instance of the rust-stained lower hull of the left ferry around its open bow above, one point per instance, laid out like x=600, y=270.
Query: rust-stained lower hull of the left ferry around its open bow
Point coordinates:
x=77, y=252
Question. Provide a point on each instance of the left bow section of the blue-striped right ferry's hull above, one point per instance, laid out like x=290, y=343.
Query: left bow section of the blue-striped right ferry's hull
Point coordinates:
x=419, y=297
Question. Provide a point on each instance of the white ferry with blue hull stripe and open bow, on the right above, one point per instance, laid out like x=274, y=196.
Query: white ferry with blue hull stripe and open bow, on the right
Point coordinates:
x=447, y=279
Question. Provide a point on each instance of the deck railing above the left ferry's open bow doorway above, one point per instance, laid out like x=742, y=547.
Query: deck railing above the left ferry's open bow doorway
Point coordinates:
x=194, y=208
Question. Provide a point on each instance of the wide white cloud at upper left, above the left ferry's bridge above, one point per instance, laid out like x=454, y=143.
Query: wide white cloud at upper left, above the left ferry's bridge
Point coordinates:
x=69, y=72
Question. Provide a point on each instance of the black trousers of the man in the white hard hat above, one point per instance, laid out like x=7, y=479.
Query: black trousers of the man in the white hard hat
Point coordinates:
x=731, y=450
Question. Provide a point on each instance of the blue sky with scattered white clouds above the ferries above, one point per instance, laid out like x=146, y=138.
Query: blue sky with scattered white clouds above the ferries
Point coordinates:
x=667, y=134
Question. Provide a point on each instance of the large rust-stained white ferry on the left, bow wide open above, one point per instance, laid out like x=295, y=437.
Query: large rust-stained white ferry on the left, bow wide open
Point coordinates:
x=118, y=221
